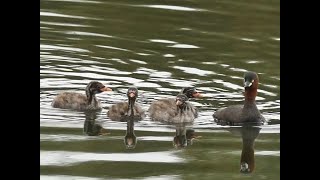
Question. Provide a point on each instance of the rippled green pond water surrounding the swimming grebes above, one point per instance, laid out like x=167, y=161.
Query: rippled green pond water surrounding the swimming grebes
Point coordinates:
x=159, y=47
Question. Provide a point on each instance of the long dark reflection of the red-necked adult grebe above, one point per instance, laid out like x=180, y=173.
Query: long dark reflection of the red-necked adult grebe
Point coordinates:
x=248, y=134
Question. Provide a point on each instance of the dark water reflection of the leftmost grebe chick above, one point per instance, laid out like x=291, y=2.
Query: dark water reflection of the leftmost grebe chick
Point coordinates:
x=91, y=127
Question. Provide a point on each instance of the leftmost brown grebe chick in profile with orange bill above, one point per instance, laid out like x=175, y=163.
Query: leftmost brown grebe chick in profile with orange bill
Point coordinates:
x=81, y=102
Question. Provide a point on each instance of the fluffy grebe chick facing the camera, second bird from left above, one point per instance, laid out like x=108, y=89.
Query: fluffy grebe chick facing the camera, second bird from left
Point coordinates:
x=121, y=110
